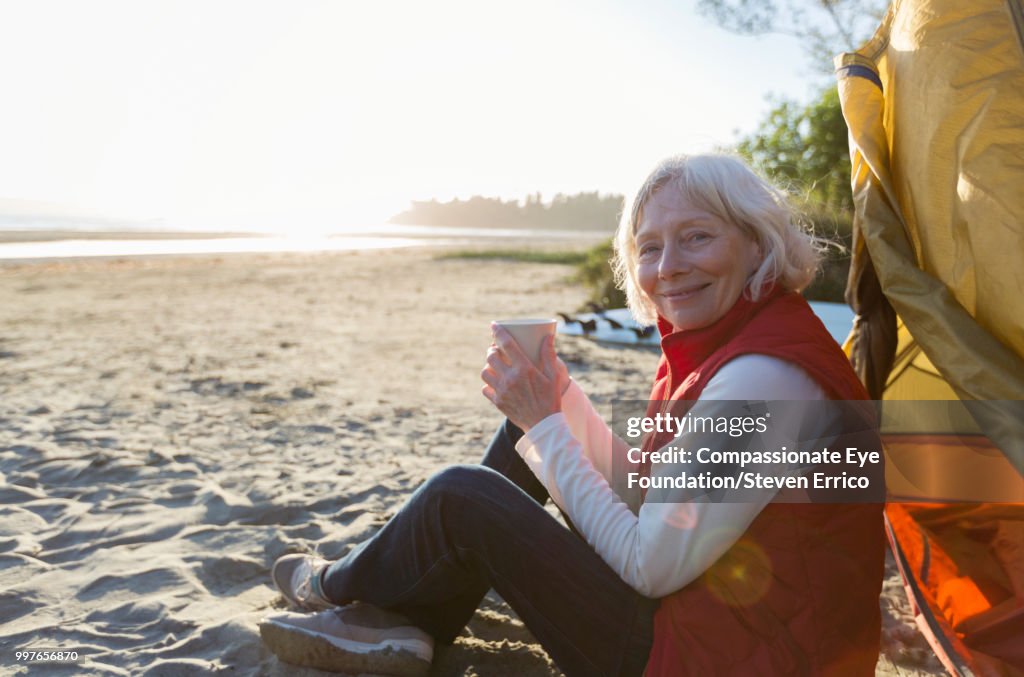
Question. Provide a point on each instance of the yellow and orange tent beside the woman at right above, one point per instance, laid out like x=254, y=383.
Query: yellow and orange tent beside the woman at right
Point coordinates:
x=935, y=108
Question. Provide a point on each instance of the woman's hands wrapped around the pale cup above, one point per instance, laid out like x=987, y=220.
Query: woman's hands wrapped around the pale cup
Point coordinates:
x=522, y=392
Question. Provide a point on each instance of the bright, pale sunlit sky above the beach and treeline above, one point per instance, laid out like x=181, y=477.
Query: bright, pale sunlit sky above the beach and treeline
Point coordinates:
x=309, y=115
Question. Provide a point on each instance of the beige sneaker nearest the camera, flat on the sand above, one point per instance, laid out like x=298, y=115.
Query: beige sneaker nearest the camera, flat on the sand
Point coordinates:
x=357, y=640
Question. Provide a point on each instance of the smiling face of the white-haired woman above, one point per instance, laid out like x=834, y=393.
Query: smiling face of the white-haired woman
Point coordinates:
x=693, y=265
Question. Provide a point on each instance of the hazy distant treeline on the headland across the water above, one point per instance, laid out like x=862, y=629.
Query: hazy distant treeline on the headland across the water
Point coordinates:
x=584, y=211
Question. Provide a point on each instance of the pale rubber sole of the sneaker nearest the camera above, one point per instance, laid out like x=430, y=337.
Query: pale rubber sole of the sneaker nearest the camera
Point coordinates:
x=305, y=648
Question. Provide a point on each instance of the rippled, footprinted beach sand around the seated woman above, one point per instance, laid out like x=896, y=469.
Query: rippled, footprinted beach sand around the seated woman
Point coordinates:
x=170, y=427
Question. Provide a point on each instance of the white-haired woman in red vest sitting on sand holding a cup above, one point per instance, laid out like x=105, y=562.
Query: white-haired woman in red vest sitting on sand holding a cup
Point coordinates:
x=711, y=252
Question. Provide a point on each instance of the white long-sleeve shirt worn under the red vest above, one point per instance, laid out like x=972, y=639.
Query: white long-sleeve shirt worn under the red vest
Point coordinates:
x=657, y=548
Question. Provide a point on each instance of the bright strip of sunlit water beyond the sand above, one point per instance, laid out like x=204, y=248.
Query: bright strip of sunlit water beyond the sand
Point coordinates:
x=370, y=238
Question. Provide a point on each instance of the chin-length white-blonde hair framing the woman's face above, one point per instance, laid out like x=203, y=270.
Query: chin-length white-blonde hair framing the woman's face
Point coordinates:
x=728, y=188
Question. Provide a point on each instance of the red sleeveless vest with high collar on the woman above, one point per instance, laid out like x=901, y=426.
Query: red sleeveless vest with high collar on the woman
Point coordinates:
x=798, y=595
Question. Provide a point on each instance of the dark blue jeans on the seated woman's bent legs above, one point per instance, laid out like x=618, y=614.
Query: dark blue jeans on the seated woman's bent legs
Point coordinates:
x=473, y=528
